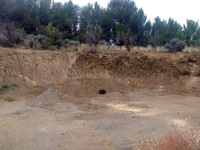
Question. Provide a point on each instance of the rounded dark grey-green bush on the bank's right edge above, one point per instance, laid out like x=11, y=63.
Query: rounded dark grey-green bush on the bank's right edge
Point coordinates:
x=175, y=45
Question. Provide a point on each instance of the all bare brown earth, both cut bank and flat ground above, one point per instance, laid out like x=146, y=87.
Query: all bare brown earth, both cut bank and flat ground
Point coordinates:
x=146, y=93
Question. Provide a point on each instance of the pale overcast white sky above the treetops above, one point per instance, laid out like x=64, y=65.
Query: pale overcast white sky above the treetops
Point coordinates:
x=179, y=10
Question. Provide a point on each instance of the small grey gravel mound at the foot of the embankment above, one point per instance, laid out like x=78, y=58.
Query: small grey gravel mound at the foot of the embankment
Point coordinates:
x=48, y=99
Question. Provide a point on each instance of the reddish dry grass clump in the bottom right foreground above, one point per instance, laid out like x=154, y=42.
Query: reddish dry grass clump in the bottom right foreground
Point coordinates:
x=174, y=140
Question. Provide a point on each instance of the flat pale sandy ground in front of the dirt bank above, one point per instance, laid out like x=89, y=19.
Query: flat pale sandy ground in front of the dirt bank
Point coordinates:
x=114, y=121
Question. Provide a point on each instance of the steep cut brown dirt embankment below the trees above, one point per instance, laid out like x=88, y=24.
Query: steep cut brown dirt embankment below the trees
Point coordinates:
x=177, y=72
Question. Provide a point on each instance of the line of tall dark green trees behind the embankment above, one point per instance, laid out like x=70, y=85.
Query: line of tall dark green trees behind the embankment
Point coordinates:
x=121, y=23
